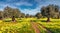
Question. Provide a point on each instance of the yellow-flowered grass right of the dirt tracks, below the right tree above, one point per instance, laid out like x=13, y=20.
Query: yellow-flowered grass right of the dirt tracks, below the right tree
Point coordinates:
x=53, y=26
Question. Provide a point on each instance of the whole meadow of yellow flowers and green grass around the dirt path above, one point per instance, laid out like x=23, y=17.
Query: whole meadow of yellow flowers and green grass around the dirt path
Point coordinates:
x=24, y=25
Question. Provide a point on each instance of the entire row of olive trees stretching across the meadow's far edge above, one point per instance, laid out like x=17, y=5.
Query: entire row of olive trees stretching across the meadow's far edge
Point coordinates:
x=50, y=11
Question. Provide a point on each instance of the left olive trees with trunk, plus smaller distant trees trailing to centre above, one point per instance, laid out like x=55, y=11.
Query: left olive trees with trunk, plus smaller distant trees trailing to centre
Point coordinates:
x=13, y=13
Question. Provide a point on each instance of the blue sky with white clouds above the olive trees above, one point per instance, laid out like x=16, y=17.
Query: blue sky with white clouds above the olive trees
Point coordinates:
x=27, y=6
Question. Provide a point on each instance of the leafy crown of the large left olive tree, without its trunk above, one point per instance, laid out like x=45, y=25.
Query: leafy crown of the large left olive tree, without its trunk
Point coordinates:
x=9, y=12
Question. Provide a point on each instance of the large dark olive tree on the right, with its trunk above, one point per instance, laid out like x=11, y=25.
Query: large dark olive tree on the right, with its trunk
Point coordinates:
x=50, y=11
